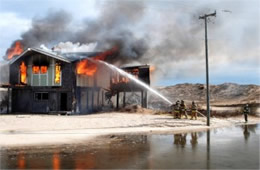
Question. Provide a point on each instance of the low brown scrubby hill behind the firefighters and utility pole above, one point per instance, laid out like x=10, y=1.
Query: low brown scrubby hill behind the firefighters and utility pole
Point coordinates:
x=227, y=94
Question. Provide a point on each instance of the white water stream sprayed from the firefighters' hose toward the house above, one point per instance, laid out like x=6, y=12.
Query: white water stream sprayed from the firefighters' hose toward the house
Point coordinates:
x=131, y=77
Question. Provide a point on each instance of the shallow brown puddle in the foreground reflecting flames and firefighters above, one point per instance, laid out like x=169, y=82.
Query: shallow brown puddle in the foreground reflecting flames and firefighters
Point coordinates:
x=223, y=148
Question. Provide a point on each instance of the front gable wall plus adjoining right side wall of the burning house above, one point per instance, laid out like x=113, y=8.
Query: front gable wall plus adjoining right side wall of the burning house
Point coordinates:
x=88, y=91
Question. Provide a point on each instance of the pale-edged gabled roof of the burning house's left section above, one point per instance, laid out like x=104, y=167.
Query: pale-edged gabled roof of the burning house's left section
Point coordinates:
x=66, y=57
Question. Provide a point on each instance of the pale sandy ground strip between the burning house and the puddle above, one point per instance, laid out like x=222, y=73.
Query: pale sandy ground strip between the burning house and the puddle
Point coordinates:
x=26, y=130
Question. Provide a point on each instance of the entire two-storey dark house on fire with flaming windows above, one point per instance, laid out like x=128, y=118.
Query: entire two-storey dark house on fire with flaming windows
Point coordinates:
x=45, y=81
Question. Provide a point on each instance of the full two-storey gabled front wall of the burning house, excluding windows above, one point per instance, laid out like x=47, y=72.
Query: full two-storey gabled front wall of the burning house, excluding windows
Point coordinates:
x=23, y=96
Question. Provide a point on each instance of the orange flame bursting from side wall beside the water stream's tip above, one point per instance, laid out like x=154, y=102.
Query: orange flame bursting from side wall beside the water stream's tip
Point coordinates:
x=86, y=67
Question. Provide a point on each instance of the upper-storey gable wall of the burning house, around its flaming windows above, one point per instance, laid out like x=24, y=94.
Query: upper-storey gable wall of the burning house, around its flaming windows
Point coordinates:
x=47, y=79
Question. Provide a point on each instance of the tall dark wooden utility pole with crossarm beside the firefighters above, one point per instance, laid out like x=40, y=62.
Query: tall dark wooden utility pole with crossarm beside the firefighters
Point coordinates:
x=205, y=17
